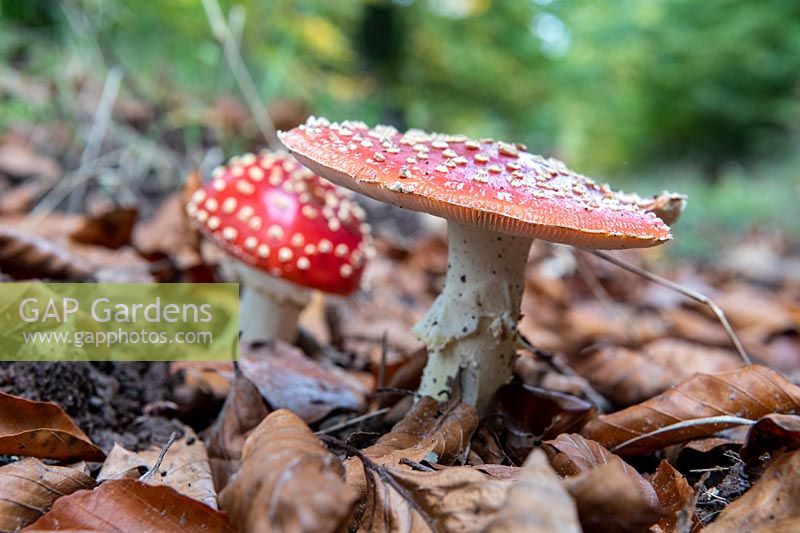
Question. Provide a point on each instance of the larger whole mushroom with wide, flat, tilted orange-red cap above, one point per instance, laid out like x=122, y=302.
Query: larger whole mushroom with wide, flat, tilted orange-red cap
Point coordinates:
x=496, y=198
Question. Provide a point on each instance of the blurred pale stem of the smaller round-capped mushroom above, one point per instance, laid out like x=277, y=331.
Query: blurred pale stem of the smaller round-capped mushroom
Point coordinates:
x=270, y=306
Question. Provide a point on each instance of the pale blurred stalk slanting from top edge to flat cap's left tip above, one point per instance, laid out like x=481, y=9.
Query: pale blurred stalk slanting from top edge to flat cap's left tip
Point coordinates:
x=233, y=57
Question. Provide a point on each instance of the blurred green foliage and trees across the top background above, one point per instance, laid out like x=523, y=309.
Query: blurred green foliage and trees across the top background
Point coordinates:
x=684, y=90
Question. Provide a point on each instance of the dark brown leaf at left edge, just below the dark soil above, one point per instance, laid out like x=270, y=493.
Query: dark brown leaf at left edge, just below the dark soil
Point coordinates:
x=42, y=429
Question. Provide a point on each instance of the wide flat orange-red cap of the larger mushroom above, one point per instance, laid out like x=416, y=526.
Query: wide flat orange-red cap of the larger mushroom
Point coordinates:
x=494, y=185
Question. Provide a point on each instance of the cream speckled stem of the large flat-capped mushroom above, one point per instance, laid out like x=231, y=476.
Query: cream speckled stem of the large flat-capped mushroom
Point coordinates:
x=471, y=329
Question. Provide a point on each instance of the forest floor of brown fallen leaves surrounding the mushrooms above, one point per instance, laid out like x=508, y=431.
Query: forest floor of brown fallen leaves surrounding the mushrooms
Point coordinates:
x=629, y=409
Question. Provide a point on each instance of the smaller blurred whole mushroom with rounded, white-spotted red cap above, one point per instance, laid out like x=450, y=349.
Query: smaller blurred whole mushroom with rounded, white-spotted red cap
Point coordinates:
x=289, y=230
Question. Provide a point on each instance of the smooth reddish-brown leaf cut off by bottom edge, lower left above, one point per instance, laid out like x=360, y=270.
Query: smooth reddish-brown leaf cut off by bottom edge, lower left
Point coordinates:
x=127, y=505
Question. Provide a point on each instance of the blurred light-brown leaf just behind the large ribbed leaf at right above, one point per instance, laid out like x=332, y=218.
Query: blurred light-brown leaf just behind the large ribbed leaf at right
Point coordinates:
x=631, y=376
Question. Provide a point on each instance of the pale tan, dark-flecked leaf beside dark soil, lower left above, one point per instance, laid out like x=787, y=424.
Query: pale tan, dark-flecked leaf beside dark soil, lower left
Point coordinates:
x=184, y=467
